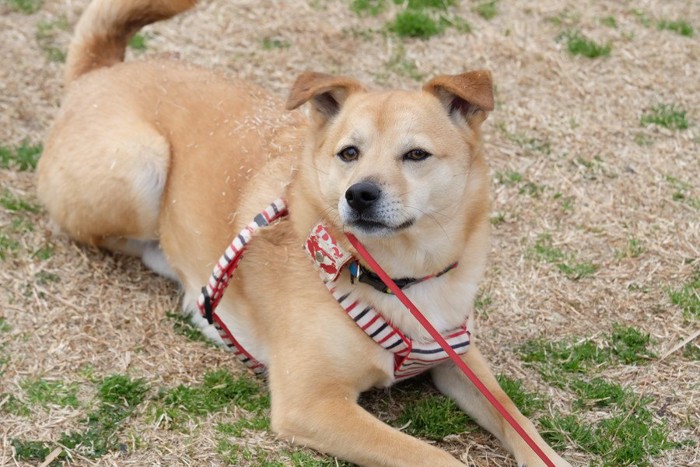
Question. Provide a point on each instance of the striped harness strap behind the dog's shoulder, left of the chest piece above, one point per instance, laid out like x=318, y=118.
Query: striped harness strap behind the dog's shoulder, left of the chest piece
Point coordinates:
x=212, y=293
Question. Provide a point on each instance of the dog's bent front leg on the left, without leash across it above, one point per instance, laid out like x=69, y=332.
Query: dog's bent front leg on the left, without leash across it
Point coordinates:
x=324, y=415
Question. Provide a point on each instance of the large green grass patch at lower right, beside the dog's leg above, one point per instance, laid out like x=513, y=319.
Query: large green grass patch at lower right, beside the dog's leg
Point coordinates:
x=625, y=430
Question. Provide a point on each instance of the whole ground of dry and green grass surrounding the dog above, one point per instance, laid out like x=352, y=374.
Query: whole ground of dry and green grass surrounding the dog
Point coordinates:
x=590, y=310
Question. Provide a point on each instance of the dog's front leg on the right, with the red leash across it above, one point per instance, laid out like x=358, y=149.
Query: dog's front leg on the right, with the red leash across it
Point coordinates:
x=452, y=382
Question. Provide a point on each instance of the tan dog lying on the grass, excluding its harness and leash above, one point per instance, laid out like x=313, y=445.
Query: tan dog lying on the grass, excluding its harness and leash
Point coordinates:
x=170, y=162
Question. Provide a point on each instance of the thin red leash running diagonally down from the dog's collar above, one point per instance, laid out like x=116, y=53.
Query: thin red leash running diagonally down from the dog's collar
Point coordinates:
x=453, y=355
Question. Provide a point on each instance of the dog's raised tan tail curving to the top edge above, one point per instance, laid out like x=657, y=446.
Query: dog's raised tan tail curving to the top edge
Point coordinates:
x=105, y=28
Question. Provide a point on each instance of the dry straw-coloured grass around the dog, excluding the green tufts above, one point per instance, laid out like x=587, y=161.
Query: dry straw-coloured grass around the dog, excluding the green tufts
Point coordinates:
x=567, y=124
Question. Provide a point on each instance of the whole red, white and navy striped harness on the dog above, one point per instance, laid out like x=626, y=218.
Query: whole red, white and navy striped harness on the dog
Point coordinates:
x=411, y=356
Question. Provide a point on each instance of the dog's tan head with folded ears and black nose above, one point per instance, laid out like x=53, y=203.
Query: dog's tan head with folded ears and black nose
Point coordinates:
x=397, y=167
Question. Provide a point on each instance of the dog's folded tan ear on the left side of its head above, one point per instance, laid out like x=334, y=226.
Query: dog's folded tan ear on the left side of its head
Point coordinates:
x=327, y=93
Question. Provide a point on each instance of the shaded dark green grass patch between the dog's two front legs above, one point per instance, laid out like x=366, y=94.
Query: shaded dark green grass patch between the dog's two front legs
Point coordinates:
x=432, y=417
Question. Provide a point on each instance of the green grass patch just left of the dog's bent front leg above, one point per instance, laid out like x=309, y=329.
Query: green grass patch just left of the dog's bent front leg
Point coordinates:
x=218, y=390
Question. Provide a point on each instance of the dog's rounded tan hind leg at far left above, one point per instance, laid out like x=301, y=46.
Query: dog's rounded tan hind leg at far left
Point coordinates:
x=106, y=191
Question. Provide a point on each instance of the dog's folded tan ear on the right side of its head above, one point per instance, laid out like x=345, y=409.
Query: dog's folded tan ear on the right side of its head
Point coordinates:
x=469, y=94
